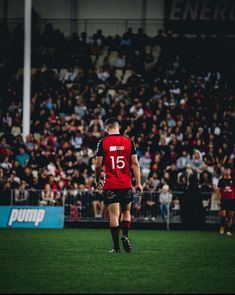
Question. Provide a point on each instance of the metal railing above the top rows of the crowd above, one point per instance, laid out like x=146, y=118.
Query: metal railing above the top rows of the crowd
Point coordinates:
x=109, y=27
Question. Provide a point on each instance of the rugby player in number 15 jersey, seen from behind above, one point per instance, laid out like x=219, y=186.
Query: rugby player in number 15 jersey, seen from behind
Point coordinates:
x=118, y=155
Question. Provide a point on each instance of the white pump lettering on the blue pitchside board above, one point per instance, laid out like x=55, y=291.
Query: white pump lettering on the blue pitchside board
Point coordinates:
x=27, y=215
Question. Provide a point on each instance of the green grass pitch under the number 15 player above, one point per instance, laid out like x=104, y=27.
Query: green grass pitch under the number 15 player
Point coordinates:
x=77, y=261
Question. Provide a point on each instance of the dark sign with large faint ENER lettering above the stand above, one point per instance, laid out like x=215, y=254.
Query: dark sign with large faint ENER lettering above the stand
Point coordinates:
x=200, y=16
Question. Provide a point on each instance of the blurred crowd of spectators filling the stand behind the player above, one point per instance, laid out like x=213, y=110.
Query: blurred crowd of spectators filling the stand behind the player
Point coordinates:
x=170, y=94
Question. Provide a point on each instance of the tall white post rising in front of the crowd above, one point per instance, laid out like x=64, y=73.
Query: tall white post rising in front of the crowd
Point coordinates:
x=27, y=68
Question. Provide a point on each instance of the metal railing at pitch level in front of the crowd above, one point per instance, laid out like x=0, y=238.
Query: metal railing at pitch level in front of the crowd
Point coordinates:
x=88, y=205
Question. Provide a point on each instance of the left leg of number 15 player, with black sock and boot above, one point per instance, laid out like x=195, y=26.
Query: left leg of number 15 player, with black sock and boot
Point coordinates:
x=114, y=213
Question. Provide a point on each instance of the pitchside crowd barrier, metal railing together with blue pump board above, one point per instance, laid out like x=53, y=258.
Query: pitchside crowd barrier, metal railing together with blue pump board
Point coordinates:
x=25, y=208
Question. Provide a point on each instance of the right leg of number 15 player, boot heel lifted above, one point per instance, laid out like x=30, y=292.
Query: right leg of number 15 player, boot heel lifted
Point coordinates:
x=125, y=225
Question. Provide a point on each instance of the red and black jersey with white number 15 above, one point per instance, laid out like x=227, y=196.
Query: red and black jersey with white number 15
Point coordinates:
x=116, y=150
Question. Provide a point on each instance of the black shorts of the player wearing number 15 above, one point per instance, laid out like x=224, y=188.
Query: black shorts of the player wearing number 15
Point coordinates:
x=122, y=196
